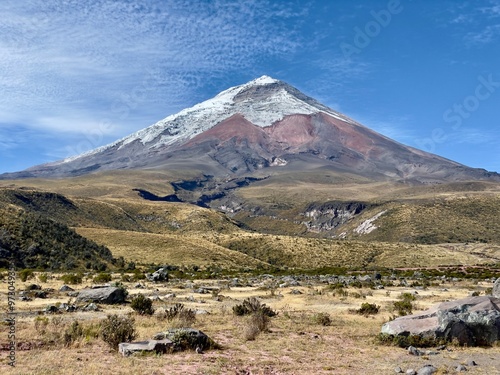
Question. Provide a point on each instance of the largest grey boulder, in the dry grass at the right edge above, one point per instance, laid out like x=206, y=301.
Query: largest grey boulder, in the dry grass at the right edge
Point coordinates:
x=472, y=321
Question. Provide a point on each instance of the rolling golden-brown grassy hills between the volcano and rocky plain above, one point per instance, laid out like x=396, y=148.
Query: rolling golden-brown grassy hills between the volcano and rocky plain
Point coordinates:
x=420, y=227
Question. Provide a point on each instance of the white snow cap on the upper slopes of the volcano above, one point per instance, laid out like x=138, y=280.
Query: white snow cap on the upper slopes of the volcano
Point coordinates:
x=280, y=100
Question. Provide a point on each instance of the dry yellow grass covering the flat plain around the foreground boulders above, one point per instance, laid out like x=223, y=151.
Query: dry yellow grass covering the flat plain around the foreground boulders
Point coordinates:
x=295, y=344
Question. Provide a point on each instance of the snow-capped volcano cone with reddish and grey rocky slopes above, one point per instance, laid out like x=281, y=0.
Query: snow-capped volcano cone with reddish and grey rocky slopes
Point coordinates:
x=267, y=125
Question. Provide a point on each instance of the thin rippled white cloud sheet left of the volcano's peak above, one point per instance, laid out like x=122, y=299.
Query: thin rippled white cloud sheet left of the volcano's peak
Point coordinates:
x=61, y=59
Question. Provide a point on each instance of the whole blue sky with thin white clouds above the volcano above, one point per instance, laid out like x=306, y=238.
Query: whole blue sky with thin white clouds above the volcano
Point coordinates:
x=75, y=75
